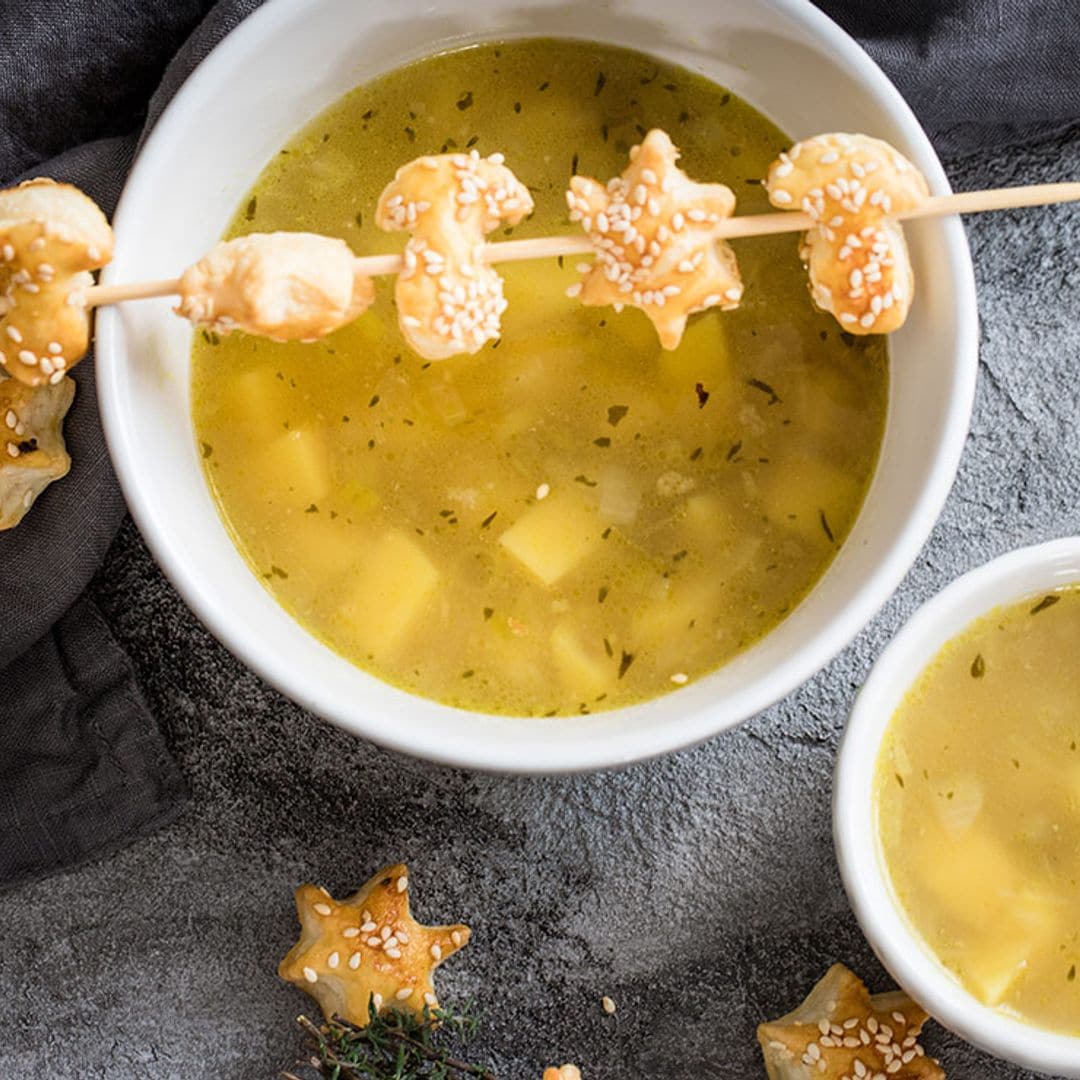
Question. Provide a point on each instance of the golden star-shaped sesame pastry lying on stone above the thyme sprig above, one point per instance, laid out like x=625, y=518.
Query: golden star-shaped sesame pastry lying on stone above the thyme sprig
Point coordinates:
x=368, y=949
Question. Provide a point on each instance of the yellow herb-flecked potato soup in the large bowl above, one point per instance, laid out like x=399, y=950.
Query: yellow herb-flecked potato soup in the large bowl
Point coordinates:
x=572, y=520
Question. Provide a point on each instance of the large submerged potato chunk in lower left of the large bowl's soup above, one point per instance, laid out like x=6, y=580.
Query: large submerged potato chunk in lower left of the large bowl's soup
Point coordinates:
x=388, y=591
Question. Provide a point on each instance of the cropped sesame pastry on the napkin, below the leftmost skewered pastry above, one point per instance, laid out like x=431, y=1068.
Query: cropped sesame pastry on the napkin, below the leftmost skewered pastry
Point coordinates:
x=33, y=454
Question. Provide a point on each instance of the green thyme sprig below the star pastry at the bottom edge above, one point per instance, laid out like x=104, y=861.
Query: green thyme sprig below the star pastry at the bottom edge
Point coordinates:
x=395, y=1046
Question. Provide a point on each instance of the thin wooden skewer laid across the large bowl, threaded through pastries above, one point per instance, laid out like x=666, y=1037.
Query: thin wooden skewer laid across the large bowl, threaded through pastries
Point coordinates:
x=736, y=228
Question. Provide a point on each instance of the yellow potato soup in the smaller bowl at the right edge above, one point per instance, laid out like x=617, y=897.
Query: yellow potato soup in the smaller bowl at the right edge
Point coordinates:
x=979, y=808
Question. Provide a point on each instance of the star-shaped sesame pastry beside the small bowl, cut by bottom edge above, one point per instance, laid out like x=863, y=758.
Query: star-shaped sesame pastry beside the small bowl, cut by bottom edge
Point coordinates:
x=842, y=1033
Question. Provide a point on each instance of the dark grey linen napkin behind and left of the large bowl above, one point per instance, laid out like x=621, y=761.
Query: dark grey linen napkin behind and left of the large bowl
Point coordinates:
x=84, y=766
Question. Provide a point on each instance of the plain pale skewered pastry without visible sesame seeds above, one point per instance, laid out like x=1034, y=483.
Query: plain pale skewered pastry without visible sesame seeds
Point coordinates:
x=282, y=286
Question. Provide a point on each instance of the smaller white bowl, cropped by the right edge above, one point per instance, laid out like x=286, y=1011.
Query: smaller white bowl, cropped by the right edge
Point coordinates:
x=1031, y=572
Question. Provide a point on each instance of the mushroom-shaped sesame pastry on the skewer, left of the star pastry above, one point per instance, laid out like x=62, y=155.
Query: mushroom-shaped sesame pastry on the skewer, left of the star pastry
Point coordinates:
x=450, y=301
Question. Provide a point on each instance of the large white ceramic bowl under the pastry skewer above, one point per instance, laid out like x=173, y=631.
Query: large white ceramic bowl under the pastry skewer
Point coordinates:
x=285, y=65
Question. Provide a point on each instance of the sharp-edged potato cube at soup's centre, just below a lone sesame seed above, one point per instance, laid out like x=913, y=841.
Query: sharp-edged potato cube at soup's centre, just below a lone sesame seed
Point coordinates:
x=553, y=537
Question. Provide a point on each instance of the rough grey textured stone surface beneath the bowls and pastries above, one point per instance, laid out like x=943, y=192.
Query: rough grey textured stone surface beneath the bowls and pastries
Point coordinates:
x=700, y=892
